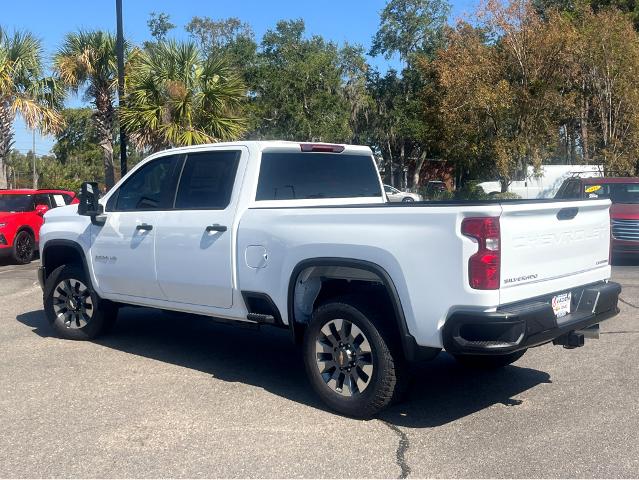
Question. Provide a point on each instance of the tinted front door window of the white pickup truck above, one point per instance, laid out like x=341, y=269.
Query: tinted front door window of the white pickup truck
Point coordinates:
x=147, y=189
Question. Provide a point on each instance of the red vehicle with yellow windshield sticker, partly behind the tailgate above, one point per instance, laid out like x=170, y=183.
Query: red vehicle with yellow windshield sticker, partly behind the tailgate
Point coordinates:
x=624, y=212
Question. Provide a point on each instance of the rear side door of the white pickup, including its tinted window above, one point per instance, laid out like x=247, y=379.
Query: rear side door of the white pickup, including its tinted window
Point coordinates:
x=194, y=242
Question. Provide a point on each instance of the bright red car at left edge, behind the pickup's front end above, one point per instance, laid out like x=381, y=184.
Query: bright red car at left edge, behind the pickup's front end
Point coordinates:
x=21, y=213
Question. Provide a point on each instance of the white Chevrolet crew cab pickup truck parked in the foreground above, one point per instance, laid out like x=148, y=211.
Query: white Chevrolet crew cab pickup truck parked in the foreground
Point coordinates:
x=300, y=236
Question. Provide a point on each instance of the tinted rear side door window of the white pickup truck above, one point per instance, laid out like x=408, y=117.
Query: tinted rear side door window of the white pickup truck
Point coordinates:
x=207, y=180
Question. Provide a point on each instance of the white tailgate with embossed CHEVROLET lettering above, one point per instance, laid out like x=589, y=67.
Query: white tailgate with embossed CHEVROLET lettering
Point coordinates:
x=552, y=246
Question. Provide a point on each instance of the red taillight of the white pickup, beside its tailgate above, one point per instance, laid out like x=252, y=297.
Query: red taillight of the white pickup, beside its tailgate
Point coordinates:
x=484, y=266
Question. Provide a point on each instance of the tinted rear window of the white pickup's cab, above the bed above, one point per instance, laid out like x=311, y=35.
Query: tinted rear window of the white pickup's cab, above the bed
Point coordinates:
x=294, y=176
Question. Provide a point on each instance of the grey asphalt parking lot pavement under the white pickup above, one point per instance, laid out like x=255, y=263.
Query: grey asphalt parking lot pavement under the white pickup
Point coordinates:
x=183, y=397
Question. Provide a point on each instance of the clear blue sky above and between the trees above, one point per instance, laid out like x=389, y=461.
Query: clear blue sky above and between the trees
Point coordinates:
x=352, y=21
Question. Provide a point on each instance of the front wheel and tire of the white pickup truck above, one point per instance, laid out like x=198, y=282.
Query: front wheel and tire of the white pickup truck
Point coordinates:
x=73, y=308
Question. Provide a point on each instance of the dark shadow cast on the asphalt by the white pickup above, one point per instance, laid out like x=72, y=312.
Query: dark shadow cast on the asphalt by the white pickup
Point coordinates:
x=442, y=391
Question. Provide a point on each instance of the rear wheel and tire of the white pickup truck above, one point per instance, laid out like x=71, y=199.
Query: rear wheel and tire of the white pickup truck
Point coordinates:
x=351, y=357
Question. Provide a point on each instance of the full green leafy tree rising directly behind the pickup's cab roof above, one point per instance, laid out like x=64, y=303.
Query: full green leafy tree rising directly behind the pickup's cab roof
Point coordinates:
x=297, y=88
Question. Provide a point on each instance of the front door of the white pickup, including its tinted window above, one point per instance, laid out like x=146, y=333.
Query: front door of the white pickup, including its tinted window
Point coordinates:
x=123, y=249
